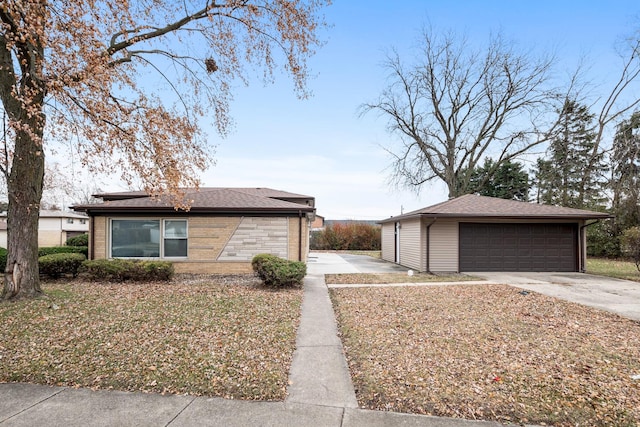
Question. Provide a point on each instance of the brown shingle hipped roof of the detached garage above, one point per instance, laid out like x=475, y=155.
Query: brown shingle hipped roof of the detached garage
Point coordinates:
x=471, y=205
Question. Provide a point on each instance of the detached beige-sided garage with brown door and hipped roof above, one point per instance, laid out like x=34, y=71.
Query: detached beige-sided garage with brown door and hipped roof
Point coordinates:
x=477, y=233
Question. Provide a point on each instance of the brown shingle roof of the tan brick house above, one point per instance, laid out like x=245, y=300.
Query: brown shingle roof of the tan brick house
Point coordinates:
x=205, y=200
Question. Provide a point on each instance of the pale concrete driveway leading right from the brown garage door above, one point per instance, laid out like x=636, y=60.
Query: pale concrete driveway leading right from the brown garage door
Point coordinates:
x=614, y=295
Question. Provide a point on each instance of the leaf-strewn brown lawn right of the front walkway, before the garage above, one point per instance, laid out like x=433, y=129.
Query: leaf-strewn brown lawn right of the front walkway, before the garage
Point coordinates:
x=489, y=352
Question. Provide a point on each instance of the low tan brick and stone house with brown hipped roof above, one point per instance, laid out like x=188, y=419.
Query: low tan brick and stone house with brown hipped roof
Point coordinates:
x=220, y=233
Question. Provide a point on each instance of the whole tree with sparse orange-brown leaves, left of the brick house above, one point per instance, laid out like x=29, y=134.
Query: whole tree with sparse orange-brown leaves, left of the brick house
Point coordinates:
x=130, y=83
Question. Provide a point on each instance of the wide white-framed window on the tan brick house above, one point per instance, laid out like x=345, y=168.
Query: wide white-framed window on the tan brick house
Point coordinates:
x=148, y=238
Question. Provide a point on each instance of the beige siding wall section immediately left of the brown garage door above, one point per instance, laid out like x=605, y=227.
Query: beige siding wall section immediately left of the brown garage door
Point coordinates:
x=443, y=246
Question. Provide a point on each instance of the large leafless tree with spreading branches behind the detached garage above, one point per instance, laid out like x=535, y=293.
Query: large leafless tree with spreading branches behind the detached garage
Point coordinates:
x=456, y=105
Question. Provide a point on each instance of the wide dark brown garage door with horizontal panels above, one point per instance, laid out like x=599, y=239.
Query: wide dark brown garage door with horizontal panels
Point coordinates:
x=518, y=247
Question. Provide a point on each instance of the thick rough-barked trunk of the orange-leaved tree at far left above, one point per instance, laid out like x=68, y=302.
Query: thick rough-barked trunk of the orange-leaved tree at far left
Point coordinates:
x=23, y=91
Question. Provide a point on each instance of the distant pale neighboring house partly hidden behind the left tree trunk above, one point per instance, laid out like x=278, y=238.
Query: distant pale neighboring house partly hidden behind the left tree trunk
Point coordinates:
x=54, y=227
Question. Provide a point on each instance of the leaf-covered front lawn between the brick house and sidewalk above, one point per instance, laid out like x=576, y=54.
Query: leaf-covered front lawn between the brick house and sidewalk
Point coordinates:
x=230, y=338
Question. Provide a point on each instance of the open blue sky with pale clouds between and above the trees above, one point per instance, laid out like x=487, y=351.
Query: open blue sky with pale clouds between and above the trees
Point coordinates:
x=323, y=148
